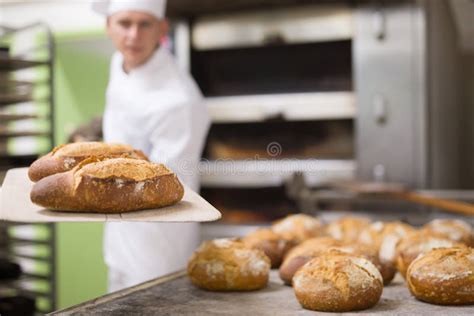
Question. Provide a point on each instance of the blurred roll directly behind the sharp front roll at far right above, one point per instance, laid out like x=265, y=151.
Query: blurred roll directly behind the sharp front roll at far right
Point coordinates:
x=410, y=247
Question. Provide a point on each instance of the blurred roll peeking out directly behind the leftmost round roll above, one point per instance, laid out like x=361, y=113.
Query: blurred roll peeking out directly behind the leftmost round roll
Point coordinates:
x=272, y=244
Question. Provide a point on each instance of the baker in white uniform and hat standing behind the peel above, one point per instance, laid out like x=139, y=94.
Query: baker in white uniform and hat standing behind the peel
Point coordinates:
x=155, y=107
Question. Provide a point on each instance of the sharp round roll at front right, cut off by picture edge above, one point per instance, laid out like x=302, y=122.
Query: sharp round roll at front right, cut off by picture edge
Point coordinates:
x=443, y=276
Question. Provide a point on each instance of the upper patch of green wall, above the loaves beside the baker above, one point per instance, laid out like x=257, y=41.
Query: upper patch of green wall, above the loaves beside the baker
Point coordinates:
x=81, y=79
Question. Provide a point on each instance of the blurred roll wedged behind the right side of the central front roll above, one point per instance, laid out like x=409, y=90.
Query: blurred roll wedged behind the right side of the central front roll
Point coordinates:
x=384, y=236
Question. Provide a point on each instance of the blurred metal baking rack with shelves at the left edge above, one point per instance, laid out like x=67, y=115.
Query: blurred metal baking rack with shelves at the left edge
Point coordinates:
x=26, y=132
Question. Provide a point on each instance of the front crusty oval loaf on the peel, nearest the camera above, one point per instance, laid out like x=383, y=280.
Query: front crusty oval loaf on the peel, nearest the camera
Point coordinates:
x=109, y=186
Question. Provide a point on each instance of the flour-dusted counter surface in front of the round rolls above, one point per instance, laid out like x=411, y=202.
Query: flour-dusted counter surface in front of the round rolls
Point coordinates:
x=175, y=295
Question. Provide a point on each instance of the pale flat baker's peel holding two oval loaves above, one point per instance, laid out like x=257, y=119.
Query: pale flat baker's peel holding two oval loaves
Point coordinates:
x=15, y=205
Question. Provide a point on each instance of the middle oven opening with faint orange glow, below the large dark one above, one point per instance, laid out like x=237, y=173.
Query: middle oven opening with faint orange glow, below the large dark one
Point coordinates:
x=331, y=139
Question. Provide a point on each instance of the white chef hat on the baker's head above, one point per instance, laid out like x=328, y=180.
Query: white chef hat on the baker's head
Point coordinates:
x=109, y=7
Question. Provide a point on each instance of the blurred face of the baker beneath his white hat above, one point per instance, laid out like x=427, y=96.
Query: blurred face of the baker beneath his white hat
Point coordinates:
x=136, y=35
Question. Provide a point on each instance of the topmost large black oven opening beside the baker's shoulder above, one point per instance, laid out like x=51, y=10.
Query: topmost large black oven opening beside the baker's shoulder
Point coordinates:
x=279, y=68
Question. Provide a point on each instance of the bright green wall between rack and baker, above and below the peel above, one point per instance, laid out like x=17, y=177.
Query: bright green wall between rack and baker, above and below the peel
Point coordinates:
x=81, y=76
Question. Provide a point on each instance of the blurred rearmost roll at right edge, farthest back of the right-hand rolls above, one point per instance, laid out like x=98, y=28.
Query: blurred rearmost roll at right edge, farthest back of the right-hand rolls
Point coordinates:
x=453, y=229
